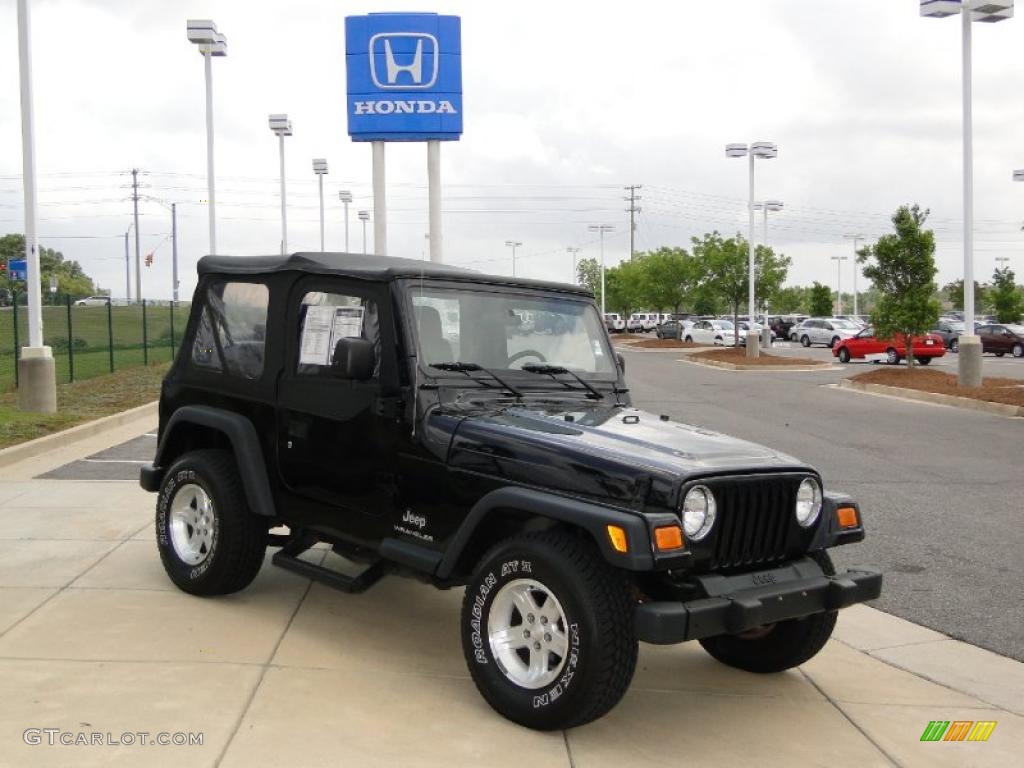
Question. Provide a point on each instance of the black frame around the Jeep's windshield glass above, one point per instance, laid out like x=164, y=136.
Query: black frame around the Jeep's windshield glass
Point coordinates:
x=409, y=287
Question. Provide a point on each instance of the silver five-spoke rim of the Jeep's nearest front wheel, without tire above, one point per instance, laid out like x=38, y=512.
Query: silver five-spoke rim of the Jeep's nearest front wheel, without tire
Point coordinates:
x=528, y=633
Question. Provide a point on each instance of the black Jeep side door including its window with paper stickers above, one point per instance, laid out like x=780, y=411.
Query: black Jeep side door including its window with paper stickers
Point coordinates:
x=337, y=432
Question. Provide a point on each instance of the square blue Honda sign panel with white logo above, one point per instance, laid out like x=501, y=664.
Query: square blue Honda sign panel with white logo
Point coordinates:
x=405, y=77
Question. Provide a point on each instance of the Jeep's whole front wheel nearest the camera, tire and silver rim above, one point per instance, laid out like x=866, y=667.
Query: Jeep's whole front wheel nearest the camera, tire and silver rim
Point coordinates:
x=547, y=631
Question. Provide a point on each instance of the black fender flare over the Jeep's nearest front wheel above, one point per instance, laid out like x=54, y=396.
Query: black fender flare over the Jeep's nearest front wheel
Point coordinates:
x=593, y=519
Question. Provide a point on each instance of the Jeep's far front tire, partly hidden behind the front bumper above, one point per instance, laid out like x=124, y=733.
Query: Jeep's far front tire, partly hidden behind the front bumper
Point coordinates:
x=788, y=645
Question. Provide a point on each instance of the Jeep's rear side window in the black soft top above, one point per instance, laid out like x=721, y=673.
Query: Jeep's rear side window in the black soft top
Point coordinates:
x=232, y=333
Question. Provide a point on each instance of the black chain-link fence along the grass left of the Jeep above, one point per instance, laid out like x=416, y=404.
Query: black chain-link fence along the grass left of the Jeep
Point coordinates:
x=93, y=340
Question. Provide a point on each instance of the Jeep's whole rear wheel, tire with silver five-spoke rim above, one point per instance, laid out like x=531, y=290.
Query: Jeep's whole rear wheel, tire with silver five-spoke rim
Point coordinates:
x=209, y=541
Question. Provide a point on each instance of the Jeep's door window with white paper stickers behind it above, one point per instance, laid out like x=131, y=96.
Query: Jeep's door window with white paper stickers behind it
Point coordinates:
x=326, y=319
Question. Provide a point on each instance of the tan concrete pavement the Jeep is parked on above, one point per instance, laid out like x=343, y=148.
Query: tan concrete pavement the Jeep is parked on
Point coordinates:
x=95, y=638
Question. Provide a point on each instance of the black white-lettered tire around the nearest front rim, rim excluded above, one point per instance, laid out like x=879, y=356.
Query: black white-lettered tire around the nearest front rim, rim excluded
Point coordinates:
x=599, y=613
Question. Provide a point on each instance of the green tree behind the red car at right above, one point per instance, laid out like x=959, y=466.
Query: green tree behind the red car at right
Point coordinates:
x=903, y=268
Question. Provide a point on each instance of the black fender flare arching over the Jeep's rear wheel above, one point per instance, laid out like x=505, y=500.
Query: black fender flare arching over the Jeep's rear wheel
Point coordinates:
x=245, y=445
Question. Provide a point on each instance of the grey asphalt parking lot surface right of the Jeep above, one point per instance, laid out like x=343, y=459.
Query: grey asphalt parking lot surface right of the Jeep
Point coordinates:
x=940, y=486
